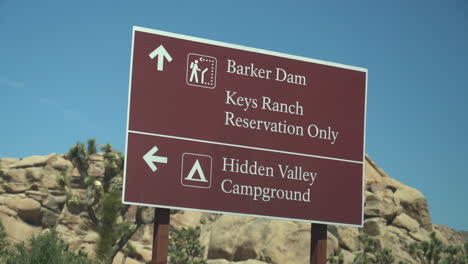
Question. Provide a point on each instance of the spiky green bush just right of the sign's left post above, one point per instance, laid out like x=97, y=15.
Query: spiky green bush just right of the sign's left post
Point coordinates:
x=184, y=247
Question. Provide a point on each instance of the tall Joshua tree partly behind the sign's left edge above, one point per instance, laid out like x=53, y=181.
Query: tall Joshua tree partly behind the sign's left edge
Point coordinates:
x=103, y=199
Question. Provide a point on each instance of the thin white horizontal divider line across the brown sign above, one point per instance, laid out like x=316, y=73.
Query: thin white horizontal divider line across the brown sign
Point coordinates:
x=245, y=147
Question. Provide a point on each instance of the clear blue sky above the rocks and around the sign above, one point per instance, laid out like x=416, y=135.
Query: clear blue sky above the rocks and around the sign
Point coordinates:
x=64, y=73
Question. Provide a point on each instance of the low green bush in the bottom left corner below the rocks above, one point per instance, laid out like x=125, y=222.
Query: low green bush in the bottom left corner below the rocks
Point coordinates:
x=47, y=248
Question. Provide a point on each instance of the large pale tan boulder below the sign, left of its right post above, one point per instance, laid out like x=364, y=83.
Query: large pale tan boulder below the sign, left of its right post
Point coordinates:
x=239, y=238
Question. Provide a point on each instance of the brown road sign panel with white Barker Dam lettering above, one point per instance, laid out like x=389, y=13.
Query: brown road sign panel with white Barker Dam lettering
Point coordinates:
x=224, y=128
